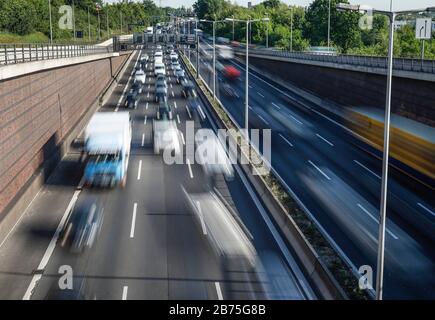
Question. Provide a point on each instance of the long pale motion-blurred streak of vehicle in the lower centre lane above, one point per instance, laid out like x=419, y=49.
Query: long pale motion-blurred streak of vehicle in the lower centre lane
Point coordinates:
x=230, y=241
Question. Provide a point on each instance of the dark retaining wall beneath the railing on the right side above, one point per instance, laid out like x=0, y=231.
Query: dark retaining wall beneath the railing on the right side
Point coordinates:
x=414, y=99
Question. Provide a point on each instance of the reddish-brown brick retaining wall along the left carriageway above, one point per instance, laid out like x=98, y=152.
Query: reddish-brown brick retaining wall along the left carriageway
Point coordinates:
x=38, y=107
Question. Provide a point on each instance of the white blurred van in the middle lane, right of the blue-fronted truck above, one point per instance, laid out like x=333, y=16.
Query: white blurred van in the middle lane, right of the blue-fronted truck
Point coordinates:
x=166, y=136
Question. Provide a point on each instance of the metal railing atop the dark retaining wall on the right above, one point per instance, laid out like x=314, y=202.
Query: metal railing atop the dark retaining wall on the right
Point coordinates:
x=403, y=64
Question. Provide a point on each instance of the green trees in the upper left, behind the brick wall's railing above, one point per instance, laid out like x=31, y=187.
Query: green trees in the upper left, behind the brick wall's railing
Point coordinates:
x=23, y=17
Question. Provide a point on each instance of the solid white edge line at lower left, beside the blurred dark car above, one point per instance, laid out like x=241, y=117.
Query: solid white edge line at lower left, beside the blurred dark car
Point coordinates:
x=51, y=247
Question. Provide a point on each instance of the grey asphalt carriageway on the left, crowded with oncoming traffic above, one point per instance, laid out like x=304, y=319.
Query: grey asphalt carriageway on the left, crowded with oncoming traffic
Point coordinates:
x=149, y=246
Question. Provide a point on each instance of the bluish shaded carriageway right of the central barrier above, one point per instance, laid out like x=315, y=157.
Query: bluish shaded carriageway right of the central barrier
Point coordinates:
x=323, y=166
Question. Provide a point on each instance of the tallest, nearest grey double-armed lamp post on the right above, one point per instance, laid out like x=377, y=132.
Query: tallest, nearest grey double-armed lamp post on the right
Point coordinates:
x=392, y=15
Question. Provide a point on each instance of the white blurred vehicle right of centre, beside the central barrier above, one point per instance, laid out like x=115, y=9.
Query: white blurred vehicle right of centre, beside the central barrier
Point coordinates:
x=212, y=156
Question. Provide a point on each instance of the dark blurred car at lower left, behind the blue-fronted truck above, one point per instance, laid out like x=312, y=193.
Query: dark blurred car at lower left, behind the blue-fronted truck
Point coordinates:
x=83, y=225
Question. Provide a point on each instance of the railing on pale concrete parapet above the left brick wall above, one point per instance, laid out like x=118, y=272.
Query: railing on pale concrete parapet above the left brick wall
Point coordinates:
x=21, y=53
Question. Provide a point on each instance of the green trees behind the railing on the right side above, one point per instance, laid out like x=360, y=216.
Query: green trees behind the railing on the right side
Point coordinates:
x=298, y=28
